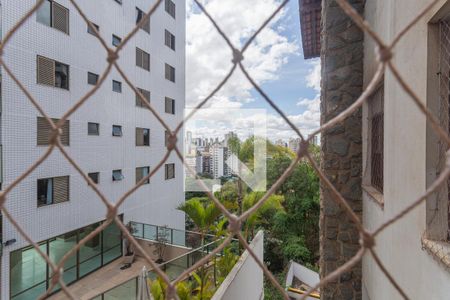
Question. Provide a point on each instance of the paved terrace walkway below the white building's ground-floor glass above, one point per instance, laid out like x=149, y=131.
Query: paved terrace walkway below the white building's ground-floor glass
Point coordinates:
x=103, y=280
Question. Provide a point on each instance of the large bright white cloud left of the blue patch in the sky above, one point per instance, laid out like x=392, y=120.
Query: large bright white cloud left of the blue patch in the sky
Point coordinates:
x=209, y=57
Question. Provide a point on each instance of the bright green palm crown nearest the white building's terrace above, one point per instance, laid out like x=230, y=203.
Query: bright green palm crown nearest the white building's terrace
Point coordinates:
x=203, y=215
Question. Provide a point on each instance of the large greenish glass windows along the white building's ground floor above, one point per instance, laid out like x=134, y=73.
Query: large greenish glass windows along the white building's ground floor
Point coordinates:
x=31, y=276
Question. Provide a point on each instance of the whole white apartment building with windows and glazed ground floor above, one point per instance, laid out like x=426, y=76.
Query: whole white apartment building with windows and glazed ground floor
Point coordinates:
x=112, y=136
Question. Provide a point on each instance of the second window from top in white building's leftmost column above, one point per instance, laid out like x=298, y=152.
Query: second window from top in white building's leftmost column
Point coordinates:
x=53, y=73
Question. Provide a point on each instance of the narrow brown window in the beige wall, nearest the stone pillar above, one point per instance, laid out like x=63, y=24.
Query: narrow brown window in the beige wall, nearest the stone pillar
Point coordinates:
x=376, y=132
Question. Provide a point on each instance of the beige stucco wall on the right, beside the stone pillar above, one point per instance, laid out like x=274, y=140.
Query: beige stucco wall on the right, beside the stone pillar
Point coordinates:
x=405, y=178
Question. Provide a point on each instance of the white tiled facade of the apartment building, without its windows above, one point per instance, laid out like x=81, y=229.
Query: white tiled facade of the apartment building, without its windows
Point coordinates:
x=154, y=203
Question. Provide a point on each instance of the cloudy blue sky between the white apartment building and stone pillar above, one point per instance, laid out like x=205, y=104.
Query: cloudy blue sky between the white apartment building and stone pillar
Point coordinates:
x=274, y=60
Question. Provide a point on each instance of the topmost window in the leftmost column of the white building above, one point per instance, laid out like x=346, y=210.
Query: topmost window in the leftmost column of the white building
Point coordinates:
x=54, y=15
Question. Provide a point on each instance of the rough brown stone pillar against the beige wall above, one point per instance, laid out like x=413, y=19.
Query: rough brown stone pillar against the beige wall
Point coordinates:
x=342, y=83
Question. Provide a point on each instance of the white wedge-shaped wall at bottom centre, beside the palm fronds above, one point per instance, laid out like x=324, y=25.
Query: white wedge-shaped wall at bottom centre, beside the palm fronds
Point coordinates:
x=246, y=279
